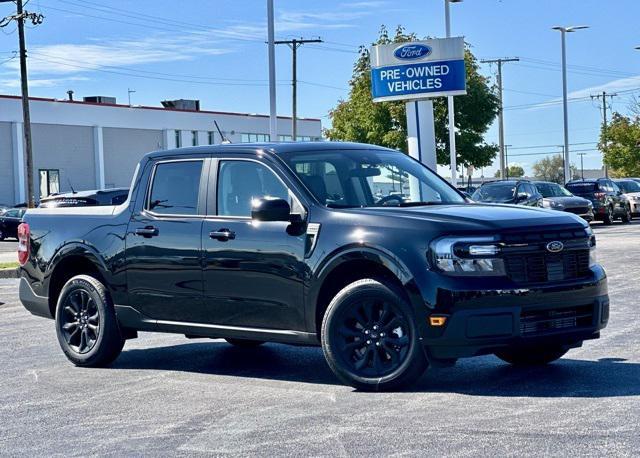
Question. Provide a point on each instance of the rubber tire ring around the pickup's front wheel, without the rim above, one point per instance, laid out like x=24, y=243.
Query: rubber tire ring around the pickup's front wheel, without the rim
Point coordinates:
x=348, y=297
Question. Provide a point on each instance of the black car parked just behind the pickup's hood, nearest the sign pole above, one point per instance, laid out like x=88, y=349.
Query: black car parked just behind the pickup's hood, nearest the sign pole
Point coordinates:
x=517, y=192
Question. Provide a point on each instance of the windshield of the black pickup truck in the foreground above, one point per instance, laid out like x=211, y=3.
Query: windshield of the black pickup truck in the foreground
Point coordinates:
x=369, y=178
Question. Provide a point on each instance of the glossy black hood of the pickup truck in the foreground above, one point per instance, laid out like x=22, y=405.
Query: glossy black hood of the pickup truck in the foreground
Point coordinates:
x=477, y=217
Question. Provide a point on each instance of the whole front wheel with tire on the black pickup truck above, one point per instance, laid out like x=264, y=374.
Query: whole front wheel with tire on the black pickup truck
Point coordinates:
x=369, y=338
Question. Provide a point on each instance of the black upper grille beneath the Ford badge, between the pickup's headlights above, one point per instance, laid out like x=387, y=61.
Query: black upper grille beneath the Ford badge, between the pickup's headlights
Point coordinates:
x=544, y=267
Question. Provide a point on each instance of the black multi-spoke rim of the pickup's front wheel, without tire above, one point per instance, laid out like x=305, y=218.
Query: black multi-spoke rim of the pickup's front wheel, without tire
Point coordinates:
x=374, y=338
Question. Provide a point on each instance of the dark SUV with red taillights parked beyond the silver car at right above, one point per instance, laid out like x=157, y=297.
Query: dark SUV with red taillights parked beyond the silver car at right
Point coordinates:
x=606, y=197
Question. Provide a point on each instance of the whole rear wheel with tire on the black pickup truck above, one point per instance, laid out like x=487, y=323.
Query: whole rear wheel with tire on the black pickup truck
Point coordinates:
x=86, y=323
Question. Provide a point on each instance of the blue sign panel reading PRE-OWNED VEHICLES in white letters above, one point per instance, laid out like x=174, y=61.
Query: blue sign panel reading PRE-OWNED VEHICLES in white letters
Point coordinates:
x=418, y=80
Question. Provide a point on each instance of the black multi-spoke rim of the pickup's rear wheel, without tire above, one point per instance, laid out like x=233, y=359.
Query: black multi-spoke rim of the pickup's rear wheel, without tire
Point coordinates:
x=80, y=321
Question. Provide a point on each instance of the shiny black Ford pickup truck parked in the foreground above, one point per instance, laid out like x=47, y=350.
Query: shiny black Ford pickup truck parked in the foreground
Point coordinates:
x=356, y=248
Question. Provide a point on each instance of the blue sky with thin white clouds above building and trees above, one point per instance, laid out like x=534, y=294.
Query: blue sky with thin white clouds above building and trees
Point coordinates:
x=214, y=51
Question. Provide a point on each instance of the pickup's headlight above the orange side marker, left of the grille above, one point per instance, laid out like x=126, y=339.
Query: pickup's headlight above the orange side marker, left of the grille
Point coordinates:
x=463, y=256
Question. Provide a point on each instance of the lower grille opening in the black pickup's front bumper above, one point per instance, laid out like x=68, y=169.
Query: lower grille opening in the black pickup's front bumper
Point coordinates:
x=543, y=321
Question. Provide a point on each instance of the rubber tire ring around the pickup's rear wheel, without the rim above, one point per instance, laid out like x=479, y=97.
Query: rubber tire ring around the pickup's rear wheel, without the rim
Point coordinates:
x=75, y=284
